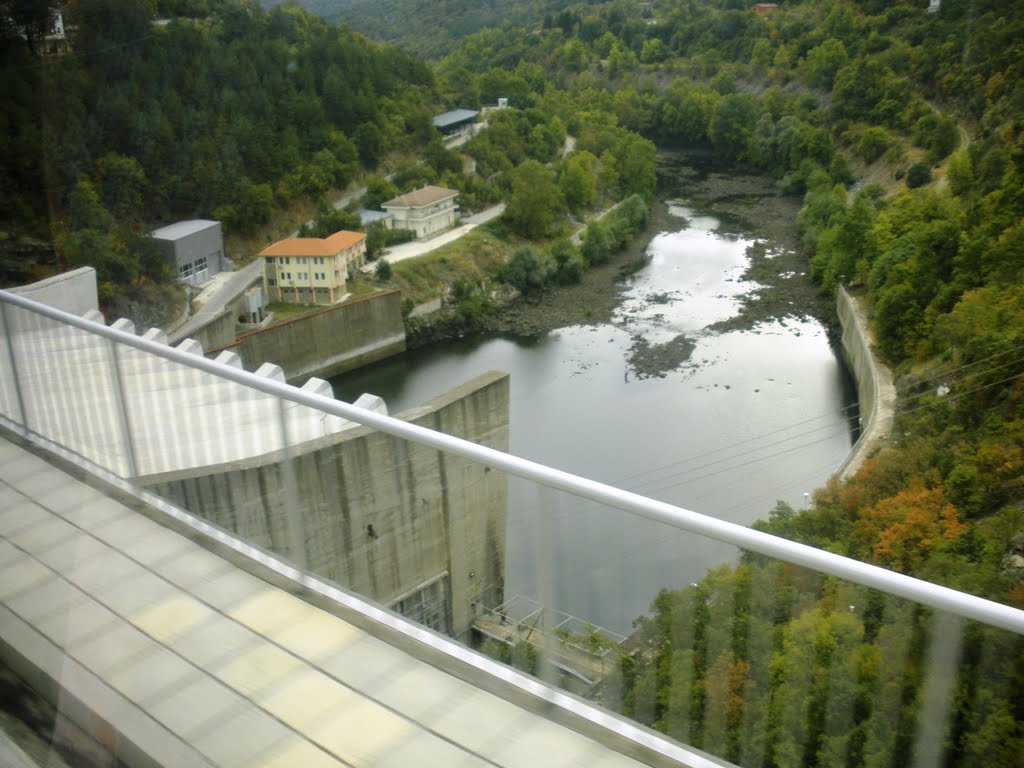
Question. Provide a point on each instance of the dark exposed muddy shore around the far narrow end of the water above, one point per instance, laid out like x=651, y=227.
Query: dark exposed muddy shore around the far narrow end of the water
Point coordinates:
x=746, y=203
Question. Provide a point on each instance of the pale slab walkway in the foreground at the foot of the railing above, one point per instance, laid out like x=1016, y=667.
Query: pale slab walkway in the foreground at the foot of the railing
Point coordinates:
x=188, y=660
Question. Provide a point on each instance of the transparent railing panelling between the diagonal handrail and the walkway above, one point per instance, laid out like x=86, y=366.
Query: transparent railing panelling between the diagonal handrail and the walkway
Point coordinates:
x=754, y=660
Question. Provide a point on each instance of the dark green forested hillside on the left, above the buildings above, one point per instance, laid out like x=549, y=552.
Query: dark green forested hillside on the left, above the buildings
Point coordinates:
x=180, y=110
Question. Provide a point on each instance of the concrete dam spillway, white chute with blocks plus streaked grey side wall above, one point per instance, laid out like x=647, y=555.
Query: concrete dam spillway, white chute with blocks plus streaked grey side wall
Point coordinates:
x=408, y=527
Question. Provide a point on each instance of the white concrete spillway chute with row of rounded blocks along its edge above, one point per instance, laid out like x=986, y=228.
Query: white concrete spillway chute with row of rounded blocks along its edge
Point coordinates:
x=141, y=415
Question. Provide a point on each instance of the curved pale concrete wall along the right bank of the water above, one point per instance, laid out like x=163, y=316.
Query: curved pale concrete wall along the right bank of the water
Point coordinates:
x=876, y=391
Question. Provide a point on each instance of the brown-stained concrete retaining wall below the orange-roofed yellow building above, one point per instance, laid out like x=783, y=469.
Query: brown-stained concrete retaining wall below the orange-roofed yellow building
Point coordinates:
x=329, y=343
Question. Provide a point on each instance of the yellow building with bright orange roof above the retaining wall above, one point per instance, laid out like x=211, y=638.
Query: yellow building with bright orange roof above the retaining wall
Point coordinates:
x=313, y=271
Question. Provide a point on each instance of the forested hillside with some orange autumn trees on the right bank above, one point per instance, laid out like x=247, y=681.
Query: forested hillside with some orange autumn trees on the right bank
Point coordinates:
x=903, y=131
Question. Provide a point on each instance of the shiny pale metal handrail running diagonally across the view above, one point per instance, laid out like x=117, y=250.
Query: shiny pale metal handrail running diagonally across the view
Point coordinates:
x=944, y=599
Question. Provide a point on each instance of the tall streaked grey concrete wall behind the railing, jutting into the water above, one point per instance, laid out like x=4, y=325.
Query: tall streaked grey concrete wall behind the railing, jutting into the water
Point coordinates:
x=432, y=515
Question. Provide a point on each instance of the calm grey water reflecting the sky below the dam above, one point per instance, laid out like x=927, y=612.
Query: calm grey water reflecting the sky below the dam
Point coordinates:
x=752, y=417
